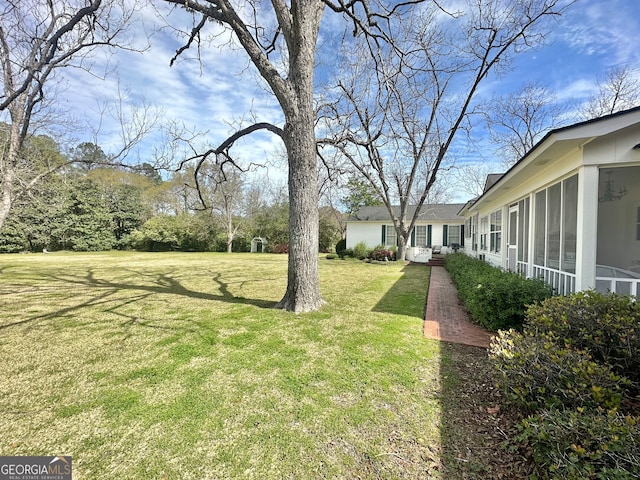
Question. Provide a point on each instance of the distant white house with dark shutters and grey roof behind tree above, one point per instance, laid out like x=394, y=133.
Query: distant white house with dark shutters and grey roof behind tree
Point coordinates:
x=437, y=225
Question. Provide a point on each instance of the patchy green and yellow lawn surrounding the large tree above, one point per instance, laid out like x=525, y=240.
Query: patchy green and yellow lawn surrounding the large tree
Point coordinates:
x=175, y=366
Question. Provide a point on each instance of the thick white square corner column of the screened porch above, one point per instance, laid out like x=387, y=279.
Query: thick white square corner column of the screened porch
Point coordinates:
x=586, y=245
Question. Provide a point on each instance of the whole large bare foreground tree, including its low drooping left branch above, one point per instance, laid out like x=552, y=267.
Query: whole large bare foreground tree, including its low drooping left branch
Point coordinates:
x=280, y=40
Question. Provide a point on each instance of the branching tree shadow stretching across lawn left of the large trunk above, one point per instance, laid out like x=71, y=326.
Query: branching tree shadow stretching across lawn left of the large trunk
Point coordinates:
x=110, y=292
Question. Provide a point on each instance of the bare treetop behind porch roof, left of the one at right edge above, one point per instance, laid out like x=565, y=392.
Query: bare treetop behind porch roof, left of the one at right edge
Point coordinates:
x=517, y=121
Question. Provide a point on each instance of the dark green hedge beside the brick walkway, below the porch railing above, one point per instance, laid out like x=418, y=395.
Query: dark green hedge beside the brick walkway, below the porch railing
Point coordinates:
x=495, y=298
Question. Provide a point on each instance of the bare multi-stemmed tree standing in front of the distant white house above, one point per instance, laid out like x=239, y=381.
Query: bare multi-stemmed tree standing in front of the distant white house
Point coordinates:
x=398, y=109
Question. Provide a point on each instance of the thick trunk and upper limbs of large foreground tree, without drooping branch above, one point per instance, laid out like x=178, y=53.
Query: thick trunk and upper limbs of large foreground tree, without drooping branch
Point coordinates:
x=298, y=23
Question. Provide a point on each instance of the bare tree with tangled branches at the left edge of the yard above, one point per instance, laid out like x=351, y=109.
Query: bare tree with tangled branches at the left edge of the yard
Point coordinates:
x=36, y=40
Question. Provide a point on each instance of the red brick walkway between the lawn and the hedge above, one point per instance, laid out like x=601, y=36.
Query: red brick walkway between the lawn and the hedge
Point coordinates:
x=446, y=319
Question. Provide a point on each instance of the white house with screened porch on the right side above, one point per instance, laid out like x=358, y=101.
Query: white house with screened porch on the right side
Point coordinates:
x=569, y=210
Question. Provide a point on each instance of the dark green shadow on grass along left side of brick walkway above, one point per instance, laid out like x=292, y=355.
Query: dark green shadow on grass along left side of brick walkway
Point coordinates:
x=408, y=295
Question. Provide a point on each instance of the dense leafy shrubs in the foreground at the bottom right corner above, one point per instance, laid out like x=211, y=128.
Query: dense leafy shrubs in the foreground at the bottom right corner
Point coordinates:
x=574, y=369
